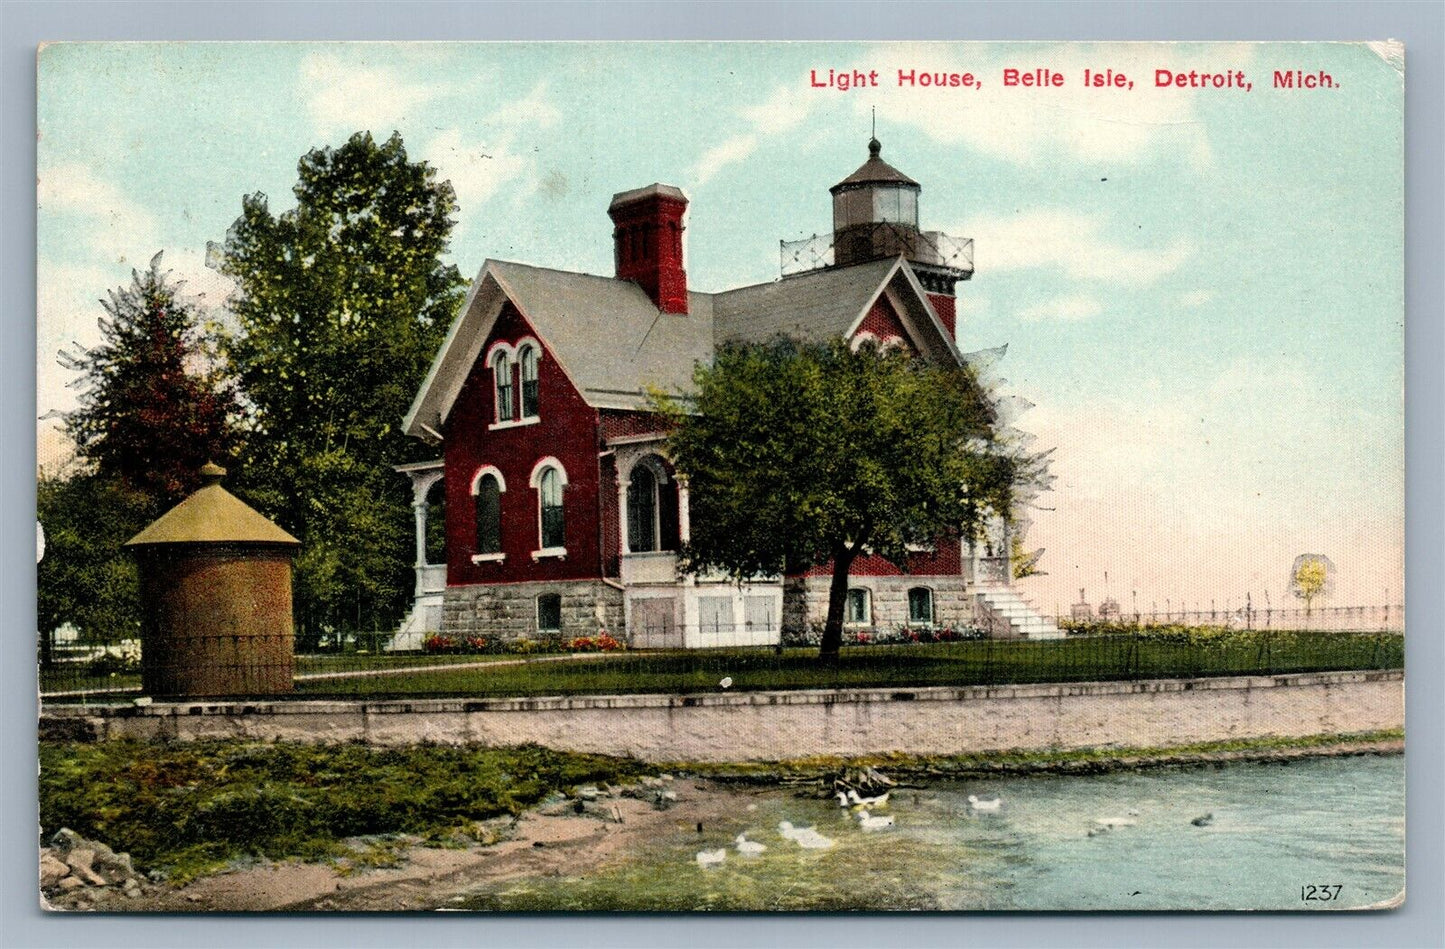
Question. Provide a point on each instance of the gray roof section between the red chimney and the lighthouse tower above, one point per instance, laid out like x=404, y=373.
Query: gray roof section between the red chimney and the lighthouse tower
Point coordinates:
x=811, y=307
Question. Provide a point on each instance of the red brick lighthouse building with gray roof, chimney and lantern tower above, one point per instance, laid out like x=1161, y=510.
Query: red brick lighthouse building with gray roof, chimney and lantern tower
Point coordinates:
x=563, y=513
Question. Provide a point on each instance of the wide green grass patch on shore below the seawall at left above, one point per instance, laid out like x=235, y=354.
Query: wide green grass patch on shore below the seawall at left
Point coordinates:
x=189, y=810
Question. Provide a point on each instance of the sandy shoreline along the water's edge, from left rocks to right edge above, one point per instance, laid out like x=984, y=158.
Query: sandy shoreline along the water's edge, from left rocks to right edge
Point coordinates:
x=548, y=841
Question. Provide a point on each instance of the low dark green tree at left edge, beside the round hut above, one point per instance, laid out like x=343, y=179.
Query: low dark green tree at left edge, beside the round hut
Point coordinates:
x=86, y=578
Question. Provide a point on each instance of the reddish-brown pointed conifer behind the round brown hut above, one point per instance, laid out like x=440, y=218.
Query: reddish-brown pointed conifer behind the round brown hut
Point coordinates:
x=154, y=407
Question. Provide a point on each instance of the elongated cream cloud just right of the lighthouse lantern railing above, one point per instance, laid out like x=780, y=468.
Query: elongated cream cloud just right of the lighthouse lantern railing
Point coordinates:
x=1070, y=242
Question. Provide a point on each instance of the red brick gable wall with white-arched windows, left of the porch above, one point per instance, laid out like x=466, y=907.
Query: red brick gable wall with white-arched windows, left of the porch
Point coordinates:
x=569, y=431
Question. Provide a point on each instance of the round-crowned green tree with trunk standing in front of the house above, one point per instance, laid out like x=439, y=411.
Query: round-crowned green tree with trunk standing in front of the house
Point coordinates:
x=803, y=456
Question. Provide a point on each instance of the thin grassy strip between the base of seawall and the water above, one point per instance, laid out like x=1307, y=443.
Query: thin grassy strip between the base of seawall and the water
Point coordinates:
x=1073, y=760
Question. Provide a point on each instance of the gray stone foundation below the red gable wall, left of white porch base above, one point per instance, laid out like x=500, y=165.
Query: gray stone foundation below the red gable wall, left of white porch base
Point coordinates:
x=509, y=612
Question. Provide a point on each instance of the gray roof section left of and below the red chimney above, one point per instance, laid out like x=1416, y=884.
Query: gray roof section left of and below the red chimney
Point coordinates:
x=609, y=336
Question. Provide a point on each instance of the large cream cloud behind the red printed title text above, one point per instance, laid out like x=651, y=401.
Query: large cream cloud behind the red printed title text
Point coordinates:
x=1073, y=122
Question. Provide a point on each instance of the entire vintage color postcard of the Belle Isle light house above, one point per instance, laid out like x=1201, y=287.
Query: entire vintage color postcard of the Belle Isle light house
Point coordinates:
x=762, y=477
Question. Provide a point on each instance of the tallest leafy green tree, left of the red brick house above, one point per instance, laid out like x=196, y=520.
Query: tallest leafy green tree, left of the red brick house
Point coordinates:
x=340, y=305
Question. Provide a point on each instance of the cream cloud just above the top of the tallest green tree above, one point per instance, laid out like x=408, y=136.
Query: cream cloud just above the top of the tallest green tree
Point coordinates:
x=345, y=95
